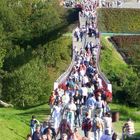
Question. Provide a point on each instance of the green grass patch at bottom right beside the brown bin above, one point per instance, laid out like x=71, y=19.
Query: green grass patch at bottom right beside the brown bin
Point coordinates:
x=125, y=113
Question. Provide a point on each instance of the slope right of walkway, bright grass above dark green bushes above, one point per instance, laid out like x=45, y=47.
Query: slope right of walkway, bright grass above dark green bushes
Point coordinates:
x=121, y=75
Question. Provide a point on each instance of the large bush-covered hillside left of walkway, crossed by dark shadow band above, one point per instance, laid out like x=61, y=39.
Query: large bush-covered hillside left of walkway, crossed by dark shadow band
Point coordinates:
x=34, y=49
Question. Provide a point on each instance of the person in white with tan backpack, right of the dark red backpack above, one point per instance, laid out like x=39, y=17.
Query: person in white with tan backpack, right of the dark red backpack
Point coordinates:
x=97, y=127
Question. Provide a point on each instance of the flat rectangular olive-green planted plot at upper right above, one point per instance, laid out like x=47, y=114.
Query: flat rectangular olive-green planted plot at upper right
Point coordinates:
x=119, y=20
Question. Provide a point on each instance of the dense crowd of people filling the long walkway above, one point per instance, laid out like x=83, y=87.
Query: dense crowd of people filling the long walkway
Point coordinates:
x=81, y=102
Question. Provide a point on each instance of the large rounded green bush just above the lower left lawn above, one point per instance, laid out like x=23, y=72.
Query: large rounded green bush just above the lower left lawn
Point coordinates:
x=27, y=86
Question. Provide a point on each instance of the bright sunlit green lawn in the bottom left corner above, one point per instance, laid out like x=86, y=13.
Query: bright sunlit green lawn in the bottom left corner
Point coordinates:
x=14, y=123
